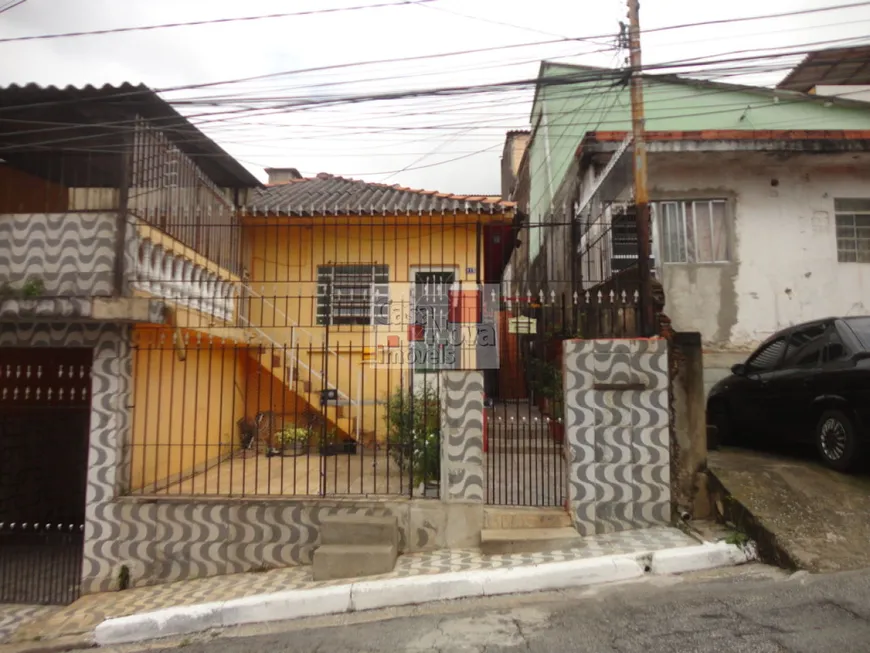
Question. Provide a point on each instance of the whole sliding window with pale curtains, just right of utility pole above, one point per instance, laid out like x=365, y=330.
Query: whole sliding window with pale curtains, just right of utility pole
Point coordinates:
x=692, y=231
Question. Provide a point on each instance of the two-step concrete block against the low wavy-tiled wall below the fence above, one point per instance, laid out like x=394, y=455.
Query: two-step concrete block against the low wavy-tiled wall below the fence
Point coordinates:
x=356, y=545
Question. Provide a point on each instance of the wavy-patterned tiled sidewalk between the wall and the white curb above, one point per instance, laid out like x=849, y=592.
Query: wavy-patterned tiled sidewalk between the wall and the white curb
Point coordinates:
x=83, y=615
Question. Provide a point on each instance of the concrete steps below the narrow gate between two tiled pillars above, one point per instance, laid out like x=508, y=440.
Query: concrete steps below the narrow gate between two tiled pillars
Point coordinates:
x=526, y=530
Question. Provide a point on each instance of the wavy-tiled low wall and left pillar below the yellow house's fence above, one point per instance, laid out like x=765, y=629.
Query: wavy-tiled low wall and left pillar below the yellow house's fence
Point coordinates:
x=181, y=539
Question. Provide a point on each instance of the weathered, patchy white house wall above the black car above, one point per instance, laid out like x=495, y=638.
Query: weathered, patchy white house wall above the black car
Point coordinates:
x=782, y=233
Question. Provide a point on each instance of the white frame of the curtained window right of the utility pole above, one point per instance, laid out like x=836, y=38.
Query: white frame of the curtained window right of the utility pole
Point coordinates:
x=689, y=247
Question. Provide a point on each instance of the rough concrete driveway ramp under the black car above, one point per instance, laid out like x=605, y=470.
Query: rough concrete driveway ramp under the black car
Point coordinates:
x=819, y=516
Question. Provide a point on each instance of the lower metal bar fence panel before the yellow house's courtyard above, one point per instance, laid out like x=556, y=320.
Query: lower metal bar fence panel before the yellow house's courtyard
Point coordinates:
x=254, y=420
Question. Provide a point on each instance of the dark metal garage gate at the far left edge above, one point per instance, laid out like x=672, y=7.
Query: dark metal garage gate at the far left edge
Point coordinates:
x=44, y=428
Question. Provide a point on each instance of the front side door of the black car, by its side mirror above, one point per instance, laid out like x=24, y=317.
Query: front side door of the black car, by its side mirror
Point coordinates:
x=750, y=403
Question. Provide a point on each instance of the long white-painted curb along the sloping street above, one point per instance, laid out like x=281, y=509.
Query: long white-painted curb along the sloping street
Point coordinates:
x=411, y=590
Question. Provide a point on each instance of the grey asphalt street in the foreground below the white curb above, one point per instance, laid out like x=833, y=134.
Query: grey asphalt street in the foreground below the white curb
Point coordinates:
x=753, y=609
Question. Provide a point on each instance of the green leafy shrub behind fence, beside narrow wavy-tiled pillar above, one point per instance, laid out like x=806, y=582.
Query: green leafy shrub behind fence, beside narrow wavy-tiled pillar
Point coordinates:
x=414, y=433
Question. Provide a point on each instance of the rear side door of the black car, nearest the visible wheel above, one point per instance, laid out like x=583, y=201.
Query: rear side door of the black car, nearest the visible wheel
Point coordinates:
x=792, y=385
